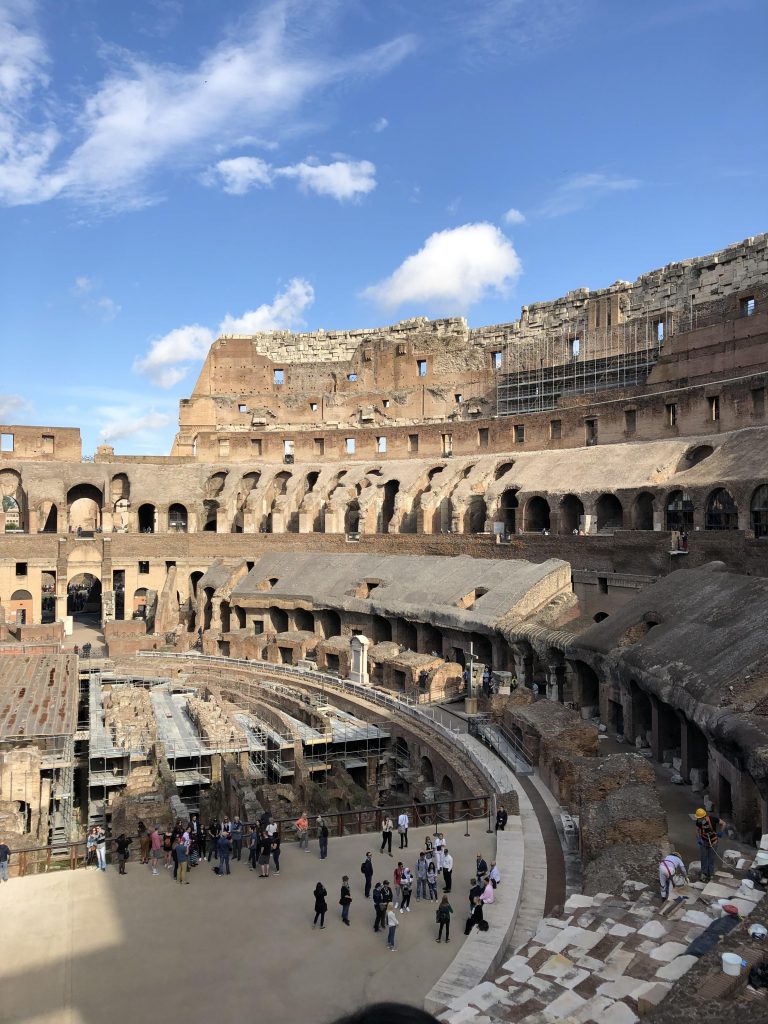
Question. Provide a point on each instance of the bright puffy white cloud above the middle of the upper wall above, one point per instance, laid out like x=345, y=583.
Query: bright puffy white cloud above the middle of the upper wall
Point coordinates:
x=454, y=269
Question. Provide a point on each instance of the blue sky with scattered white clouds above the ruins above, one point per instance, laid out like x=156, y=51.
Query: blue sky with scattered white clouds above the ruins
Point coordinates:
x=174, y=168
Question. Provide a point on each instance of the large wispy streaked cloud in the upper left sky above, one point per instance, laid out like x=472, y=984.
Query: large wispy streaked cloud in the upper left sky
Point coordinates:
x=145, y=117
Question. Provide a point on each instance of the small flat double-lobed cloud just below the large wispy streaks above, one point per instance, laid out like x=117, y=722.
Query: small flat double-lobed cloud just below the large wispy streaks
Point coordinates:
x=345, y=180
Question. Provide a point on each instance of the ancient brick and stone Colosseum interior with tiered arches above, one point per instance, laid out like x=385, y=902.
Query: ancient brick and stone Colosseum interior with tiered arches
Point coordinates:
x=453, y=569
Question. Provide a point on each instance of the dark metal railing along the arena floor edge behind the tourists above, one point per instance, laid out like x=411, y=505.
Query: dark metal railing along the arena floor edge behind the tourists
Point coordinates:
x=64, y=857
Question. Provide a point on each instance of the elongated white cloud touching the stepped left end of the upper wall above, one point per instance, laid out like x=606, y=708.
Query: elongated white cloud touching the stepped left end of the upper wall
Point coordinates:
x=169, y=358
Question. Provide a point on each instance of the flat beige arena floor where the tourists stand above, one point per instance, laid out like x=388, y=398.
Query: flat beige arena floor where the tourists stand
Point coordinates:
x=84, y=948
